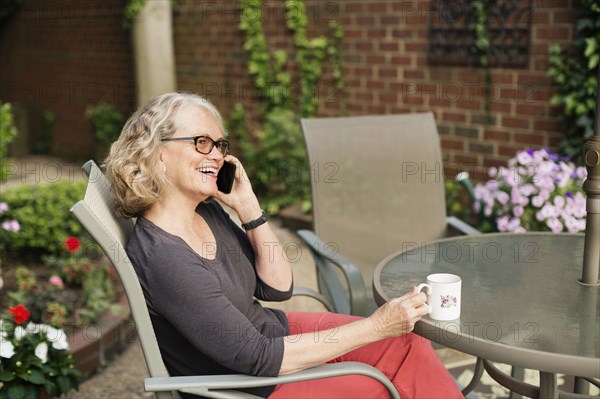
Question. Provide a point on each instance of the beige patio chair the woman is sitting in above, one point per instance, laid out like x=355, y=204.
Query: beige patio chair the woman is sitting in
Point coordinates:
x=96, y=214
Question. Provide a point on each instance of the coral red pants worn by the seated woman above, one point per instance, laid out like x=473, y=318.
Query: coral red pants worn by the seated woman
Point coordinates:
x=408, y=361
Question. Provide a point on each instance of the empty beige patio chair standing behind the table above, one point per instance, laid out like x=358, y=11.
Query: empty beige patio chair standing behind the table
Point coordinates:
x=377, y=186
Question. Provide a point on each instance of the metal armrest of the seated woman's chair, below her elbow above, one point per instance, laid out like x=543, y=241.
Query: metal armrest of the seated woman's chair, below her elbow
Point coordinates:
x=224, y=386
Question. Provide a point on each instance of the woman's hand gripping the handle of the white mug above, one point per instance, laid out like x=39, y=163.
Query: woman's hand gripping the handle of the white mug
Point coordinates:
x=398, y=316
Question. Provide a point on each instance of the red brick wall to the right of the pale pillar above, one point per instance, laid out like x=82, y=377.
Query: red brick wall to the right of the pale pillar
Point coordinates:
x=386, y=68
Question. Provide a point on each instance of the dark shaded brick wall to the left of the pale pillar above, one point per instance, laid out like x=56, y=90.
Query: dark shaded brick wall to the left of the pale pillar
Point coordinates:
x=62, y=56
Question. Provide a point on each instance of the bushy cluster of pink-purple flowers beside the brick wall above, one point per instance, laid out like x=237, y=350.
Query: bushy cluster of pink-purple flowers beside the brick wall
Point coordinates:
x=538, y=191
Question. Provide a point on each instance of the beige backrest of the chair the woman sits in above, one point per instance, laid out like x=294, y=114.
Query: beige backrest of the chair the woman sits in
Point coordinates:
x=97, y=215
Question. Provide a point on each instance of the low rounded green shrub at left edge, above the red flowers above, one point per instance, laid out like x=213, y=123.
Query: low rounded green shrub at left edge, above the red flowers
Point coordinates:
x=43, y=213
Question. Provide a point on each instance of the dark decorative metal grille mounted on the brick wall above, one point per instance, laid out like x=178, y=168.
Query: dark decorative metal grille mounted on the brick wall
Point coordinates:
x=452, y=37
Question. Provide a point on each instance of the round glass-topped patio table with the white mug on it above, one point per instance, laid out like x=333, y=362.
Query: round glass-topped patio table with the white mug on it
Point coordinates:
x=522, y=303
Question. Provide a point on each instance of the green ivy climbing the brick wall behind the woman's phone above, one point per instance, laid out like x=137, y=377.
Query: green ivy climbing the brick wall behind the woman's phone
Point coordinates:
x=274, y=152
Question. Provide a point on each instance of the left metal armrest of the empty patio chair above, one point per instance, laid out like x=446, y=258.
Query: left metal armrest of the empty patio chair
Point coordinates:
x=357, y=289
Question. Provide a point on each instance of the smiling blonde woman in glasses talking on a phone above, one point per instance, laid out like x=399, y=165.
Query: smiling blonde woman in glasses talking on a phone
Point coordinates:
x=201, y=273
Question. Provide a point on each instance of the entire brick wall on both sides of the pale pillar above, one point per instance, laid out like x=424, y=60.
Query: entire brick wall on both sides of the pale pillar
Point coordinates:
x=62, y=58
